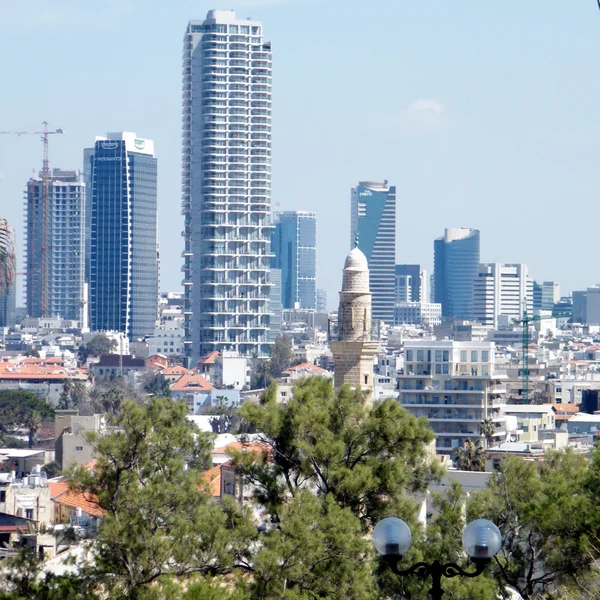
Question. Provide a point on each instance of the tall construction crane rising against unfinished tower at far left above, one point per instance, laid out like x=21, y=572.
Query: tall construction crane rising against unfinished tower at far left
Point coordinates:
x=45, y=202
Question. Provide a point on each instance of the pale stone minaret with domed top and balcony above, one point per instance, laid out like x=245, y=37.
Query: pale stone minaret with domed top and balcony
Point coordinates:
x=354, y=351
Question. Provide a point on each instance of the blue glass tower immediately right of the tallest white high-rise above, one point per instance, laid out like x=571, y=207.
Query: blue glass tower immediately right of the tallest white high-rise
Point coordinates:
x=294, y=249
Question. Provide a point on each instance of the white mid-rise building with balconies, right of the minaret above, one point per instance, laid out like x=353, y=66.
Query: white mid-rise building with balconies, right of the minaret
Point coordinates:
x=456, y=386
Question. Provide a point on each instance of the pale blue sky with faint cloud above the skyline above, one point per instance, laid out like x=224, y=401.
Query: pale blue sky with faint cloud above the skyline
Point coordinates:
x=483, y=114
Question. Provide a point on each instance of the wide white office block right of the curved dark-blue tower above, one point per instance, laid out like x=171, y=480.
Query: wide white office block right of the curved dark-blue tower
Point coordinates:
x=501, y=293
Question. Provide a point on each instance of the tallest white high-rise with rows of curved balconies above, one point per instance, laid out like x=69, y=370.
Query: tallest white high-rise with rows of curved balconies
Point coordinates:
x=226, y=185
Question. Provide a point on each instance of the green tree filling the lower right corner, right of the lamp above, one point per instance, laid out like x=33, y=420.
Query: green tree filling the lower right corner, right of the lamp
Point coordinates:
x=542, y=510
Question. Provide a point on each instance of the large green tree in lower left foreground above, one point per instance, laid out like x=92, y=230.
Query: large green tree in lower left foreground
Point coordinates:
x=159, y=524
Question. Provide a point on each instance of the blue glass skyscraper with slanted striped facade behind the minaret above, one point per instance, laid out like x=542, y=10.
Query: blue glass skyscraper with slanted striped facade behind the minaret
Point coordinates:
x=373, y=227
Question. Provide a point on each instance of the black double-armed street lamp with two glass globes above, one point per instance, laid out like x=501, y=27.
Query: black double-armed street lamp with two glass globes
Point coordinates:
x=481, y=541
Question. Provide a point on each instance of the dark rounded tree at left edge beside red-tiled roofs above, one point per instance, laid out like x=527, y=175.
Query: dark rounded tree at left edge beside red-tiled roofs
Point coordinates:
x=20, y=409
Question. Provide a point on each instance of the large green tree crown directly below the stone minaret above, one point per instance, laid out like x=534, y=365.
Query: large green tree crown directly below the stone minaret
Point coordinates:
x=333, y=442
